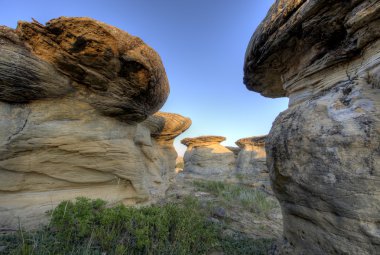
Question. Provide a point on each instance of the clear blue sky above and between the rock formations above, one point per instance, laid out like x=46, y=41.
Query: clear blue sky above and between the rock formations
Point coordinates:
x=202, y=45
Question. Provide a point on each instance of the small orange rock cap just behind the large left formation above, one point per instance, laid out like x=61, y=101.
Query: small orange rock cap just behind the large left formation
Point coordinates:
x=167, y=126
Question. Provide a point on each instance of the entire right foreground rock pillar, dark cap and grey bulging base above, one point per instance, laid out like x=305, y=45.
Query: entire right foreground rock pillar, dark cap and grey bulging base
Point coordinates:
x=323, y=152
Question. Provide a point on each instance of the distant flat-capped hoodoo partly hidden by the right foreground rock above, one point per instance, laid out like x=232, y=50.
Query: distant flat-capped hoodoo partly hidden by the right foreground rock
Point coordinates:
x=251, y=162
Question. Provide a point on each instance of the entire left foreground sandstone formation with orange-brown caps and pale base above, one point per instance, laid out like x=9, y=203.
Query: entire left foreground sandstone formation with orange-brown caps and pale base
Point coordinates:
x=74, y=95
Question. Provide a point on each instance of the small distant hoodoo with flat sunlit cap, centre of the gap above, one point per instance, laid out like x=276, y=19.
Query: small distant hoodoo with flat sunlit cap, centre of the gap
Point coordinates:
x=206, y=157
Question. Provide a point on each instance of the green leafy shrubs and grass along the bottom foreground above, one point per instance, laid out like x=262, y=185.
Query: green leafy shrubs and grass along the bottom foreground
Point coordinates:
x=91, y=227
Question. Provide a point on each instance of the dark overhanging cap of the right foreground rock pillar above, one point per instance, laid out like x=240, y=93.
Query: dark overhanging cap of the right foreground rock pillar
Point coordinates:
x=299, y=38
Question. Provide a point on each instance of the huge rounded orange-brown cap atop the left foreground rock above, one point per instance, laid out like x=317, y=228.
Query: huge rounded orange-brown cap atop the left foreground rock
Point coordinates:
x=120, y=74
